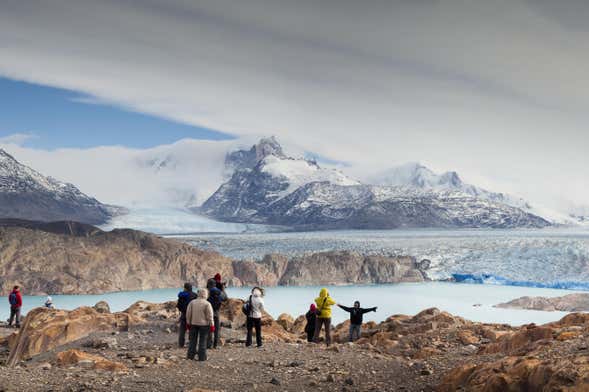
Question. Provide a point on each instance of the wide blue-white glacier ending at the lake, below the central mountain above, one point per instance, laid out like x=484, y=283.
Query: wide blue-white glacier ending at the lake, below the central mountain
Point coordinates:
x=546, y=258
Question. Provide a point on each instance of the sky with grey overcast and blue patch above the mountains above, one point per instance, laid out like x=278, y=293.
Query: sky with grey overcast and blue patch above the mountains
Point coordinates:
x=496, y=90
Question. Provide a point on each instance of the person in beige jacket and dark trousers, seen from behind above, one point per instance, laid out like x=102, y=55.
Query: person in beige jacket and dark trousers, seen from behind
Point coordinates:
x=199, y=317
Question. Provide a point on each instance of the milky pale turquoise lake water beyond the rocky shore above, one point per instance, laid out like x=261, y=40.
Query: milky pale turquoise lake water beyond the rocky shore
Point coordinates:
x=406, y=298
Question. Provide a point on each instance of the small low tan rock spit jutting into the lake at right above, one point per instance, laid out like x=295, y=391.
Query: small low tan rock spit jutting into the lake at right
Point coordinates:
x=578, y=302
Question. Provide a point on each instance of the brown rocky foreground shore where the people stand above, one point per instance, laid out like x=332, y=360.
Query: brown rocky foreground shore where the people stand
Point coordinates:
x=135, y=350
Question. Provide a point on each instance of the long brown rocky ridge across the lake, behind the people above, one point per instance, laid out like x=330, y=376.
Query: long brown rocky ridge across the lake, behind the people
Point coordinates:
x=70, y=258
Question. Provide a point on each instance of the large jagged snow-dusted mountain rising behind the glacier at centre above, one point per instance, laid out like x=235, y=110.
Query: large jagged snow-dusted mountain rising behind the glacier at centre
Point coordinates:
x=270, y=187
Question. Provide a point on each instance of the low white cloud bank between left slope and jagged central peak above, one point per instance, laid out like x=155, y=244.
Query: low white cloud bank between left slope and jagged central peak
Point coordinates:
x=167, y=176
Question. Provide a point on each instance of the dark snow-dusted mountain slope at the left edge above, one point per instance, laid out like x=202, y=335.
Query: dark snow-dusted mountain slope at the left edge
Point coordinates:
x=27, y=194
